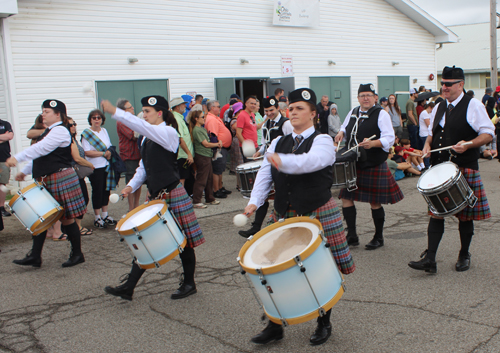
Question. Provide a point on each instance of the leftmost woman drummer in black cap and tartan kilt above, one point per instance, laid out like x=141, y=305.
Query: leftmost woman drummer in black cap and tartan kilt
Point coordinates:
x=52, y=166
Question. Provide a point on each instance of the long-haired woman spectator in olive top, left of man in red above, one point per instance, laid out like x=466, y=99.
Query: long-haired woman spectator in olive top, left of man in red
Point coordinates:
x=203, y=160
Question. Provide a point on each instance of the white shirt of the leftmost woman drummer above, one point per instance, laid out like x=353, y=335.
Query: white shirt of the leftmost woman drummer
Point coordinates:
x=59, y=136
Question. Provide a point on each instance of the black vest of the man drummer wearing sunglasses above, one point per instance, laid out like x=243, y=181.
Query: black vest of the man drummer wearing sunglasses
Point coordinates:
x=456, y=129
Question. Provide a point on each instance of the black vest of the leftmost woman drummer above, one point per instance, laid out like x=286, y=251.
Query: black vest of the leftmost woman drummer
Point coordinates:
x=54, y=161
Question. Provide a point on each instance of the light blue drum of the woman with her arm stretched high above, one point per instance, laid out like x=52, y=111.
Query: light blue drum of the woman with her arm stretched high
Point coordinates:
x=152, y=234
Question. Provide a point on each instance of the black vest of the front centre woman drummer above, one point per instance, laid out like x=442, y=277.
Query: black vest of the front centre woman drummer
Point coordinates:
x=302, y=192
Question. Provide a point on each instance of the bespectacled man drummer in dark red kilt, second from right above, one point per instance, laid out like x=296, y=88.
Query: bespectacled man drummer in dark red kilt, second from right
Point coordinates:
x=375, y=182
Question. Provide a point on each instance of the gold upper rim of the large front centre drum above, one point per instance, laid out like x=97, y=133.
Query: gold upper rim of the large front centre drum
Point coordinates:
x=304, y=254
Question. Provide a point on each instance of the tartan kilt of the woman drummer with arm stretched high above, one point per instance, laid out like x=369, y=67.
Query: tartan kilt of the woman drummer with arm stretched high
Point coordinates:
x=182, y=208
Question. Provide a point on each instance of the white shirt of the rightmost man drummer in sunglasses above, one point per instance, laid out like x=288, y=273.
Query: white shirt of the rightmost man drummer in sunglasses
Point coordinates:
x=477, y=117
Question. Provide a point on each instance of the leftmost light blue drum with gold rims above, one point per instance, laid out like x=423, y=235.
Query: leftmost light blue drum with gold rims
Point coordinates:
x=35, y=207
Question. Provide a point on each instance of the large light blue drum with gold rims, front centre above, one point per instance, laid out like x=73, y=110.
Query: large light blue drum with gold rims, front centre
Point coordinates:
x=292, y=270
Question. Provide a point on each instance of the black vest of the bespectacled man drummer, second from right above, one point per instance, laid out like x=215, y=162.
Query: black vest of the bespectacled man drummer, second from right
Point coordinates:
x=367, y=127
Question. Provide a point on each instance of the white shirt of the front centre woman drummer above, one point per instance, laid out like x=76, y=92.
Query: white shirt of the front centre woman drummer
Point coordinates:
x=321, y=155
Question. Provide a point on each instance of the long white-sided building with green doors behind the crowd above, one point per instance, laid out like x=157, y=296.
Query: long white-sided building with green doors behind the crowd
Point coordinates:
x=80, y=51
